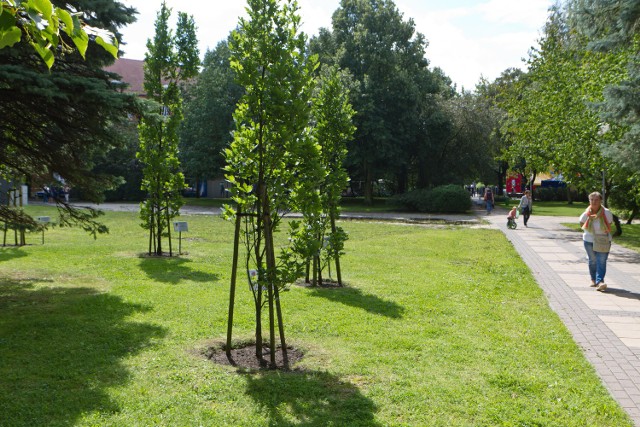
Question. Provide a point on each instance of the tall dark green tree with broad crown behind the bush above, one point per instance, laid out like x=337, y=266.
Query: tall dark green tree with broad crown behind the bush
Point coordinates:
x=387, y=58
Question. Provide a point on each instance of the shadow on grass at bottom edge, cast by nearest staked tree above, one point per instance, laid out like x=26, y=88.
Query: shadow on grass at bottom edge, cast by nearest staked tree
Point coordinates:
x=310, y=399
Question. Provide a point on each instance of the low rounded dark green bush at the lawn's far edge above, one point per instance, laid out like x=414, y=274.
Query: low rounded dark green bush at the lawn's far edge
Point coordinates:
x=444, y=199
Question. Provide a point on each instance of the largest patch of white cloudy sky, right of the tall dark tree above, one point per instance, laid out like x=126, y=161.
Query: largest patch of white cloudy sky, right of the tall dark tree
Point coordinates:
x=478, y=40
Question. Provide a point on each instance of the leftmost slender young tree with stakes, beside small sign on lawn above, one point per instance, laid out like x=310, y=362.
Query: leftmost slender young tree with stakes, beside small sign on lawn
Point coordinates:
x=169, y=60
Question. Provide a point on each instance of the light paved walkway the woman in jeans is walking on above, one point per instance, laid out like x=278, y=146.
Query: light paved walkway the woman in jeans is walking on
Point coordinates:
x=605, y=325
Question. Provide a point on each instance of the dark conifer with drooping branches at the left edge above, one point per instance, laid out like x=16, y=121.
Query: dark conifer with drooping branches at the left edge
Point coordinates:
x=61, y=121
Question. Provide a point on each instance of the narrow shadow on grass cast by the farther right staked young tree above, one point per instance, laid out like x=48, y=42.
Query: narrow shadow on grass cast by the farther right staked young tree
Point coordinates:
x=356, y=298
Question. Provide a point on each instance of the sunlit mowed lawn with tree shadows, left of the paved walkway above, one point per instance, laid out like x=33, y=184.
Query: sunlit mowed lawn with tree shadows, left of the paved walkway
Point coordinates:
x=436, y=327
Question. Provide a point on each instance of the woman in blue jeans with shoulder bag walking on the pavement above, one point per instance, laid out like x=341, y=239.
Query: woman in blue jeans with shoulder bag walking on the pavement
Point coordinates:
x=596, y=223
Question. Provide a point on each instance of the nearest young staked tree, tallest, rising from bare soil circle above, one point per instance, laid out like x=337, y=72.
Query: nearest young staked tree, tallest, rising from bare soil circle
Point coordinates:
x=271, y=160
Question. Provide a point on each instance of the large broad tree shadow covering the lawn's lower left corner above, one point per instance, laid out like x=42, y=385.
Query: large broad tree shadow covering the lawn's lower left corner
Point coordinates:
x=61, y=349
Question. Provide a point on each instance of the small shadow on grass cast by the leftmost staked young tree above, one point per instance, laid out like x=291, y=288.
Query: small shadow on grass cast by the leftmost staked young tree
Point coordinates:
x=173, y=270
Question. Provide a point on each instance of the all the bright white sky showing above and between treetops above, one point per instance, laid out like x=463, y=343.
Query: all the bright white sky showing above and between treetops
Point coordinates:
x=468, y=39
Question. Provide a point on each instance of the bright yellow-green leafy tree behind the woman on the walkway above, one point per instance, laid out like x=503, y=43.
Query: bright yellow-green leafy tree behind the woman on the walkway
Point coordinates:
x=551, y=120
